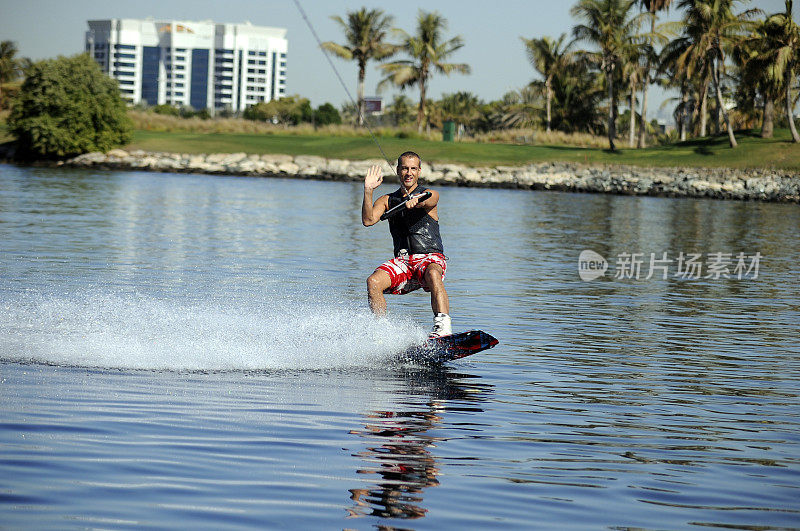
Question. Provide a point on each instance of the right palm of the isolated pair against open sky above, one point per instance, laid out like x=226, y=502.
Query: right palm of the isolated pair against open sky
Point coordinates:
x=428, y=52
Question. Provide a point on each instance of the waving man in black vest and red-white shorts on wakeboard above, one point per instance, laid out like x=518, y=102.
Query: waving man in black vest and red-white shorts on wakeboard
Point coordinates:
x=418, y=260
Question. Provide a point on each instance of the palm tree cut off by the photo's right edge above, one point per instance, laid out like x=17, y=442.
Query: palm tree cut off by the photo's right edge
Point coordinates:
x=781, y=55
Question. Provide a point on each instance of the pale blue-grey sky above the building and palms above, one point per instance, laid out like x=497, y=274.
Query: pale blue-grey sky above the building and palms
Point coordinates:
x=491, y=31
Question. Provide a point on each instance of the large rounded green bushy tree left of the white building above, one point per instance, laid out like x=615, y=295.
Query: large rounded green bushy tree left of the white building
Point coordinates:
x=67, y=106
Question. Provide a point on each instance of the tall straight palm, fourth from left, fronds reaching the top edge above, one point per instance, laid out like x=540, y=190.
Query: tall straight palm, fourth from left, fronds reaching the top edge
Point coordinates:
x=608, y=25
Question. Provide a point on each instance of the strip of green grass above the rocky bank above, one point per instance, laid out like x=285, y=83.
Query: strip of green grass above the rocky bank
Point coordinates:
x=753, y=152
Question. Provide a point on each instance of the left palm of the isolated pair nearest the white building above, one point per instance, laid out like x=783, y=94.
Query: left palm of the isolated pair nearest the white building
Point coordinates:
x=365, y=31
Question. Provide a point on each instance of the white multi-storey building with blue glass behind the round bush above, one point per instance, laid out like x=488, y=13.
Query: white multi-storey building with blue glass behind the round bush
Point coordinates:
x=197, y=64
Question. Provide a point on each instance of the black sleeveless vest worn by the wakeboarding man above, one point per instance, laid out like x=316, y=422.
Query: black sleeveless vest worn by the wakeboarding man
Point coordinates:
x=413, y=229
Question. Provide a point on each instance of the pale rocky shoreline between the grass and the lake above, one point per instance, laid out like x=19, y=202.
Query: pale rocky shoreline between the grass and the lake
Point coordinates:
x=718, y=183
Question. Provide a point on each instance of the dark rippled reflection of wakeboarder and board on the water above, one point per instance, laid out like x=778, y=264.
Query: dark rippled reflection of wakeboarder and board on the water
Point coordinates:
x=400, y=448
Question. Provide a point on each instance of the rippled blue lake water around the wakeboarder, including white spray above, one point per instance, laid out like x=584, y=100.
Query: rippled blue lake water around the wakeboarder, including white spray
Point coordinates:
x=181, y=351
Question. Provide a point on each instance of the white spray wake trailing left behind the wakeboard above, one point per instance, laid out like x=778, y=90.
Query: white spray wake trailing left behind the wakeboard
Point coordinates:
x=145, y=332
